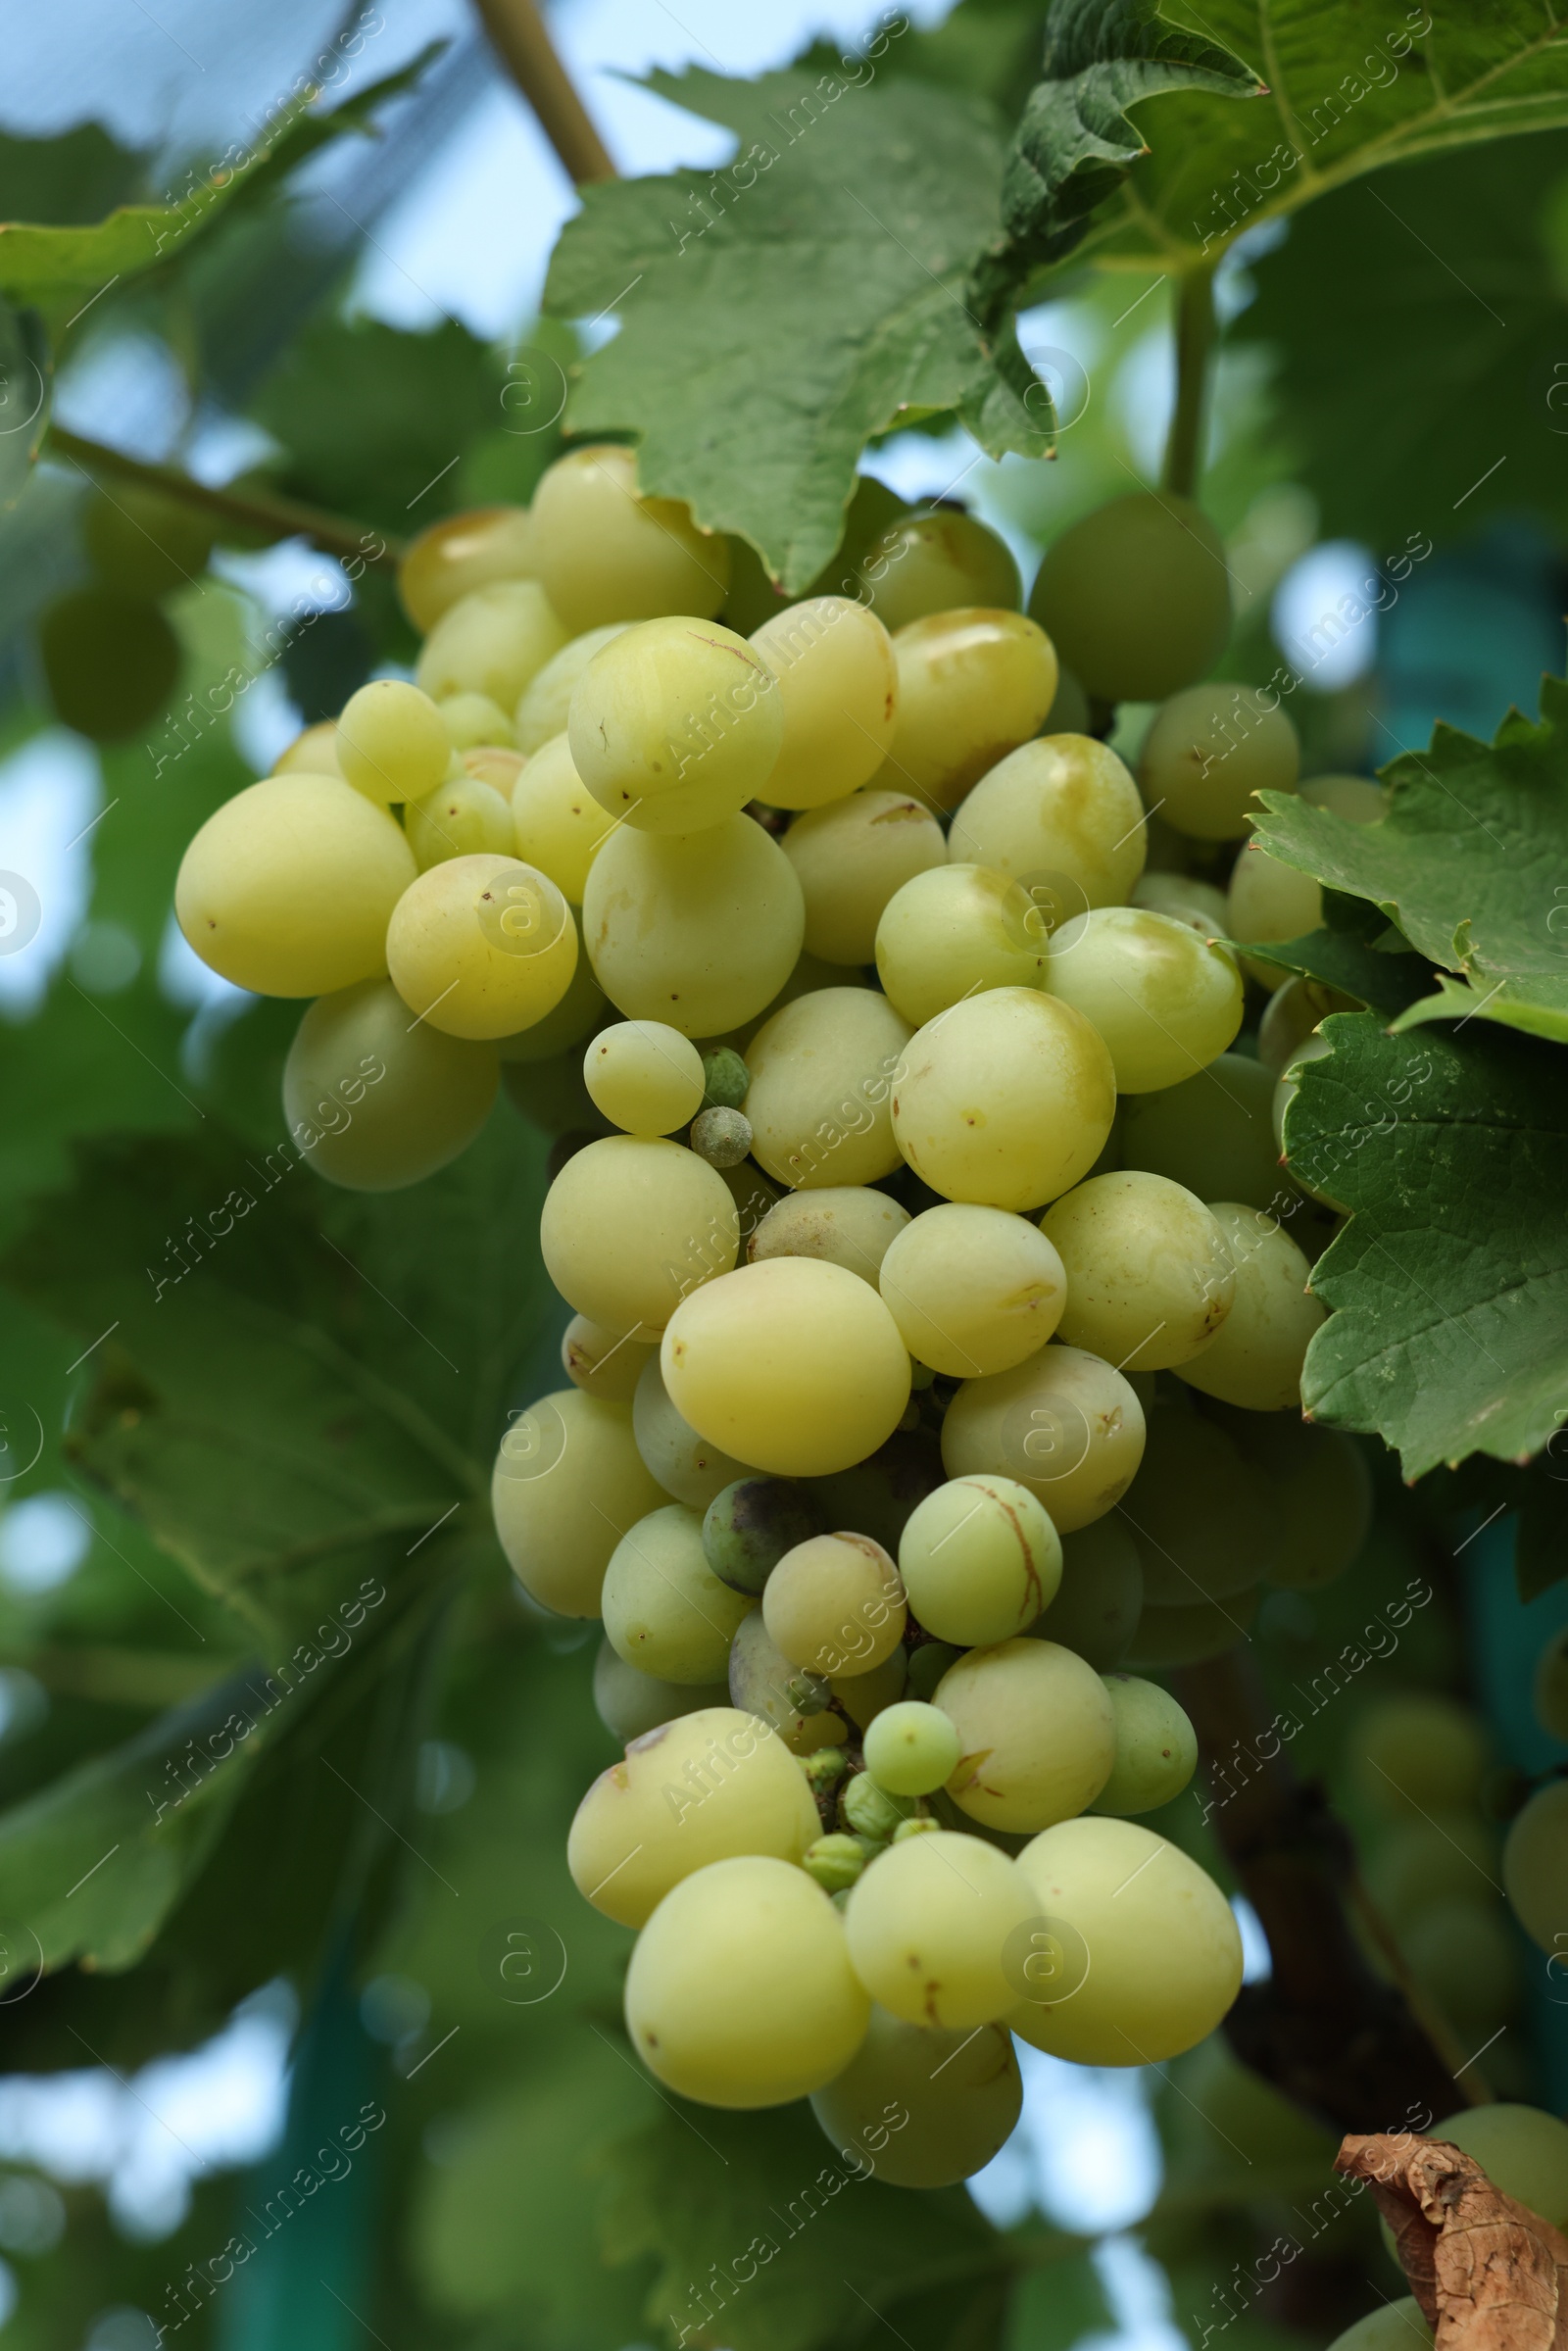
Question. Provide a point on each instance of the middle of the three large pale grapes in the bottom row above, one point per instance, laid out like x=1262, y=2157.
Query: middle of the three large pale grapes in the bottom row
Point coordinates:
x=927, y=1929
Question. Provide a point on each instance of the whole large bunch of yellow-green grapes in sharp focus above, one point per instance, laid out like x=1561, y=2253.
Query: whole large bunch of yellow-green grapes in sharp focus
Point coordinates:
x=939, y=1315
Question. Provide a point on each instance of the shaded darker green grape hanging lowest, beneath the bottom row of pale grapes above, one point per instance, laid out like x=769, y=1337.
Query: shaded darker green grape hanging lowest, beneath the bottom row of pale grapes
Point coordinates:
x=920, y=2108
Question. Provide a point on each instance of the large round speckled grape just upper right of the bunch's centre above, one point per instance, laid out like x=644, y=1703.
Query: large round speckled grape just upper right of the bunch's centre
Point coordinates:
x=1005, y=1101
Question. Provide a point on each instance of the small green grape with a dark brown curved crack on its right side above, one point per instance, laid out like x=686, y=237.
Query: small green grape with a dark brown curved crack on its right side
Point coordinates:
x=979, y=1560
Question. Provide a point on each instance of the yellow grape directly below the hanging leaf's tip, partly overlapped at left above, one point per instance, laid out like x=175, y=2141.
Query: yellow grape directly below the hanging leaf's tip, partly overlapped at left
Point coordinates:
x=838, y=688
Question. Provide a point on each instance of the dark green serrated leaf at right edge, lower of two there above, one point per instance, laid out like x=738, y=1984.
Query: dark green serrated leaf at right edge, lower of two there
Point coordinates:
x=1449, y=1285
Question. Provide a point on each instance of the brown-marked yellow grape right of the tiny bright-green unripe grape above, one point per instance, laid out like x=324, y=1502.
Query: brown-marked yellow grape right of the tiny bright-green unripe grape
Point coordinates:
x=1038, y=1734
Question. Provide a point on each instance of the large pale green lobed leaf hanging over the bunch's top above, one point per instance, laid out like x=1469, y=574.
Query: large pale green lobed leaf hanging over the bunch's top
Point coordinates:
x=784, y=312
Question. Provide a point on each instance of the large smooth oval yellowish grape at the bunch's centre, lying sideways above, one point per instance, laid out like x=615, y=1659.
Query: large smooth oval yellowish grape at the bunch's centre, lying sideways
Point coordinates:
x=793, y=1367
